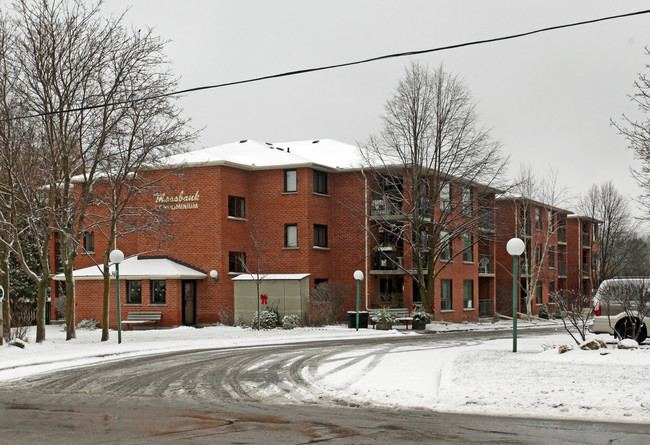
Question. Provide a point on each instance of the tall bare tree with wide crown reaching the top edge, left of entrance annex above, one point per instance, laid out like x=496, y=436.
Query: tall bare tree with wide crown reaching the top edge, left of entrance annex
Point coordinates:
x=79, y=74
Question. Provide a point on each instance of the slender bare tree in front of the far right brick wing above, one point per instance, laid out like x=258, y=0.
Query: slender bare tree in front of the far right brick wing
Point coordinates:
x=538, y=197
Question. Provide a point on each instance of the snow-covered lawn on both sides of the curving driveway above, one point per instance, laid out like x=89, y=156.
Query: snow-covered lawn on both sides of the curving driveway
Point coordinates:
x=481, y=377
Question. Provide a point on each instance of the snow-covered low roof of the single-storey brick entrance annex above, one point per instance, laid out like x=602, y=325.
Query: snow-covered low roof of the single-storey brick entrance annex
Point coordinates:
x=139, y=268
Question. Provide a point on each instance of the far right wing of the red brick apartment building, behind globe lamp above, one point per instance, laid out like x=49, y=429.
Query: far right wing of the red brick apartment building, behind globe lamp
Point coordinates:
x=561, y=252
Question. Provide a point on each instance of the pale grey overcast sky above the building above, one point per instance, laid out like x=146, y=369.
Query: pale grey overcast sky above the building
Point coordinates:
x=548, y=97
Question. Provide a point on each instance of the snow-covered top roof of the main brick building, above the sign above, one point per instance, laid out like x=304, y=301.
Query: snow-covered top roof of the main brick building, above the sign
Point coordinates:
x=252, y=154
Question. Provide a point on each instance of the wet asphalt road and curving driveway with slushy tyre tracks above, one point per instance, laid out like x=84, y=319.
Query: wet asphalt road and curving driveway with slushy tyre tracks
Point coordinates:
x=256, y=395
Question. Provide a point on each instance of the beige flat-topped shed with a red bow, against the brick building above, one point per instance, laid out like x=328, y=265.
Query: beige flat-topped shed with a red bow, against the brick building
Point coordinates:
x=288, y=293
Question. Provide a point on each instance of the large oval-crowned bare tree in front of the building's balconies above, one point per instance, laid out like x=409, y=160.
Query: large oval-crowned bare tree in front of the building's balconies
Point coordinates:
x=433, y=168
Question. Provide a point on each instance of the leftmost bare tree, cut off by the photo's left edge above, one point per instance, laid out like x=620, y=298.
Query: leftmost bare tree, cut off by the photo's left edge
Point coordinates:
x=25, y=216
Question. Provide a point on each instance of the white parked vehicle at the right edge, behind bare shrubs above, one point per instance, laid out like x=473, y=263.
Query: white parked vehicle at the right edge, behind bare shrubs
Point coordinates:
x=622, y=308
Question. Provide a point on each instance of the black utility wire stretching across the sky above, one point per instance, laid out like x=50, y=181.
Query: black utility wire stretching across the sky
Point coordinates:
x=338, y=65
